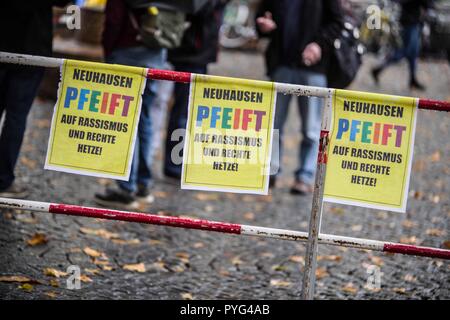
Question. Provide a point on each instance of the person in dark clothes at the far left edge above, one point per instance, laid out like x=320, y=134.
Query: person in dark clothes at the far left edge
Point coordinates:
x=25, y=27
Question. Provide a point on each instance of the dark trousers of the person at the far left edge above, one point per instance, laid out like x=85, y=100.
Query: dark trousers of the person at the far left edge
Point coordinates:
x=18, y=88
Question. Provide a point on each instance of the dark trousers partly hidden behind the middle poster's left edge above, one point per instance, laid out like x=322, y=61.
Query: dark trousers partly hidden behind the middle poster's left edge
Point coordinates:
x=177, y=120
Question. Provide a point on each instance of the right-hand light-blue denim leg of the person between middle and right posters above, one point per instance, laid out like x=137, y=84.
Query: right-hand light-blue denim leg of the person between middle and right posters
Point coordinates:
x=310, y=109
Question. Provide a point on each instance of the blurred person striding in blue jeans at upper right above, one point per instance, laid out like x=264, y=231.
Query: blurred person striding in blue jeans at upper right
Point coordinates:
x=411, y=18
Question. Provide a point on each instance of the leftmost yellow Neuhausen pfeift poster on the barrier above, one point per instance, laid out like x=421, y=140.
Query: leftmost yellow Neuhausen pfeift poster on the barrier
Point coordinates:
x=95, y=119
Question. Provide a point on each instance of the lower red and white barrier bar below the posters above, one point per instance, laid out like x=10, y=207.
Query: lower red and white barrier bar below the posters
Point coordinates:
x=224, y=227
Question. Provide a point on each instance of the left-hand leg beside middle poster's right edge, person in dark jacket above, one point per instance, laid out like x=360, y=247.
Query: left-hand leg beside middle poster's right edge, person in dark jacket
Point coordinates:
x=283, y=75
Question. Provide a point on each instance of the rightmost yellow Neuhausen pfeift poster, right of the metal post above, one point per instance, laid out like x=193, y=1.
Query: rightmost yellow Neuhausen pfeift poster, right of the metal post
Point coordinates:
x=370, y=150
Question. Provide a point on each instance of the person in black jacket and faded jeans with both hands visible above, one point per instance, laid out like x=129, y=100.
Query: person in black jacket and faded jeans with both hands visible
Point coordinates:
x=301, y=33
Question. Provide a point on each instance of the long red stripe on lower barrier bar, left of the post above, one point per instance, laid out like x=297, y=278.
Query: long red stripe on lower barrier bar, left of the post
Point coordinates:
x=145, y=218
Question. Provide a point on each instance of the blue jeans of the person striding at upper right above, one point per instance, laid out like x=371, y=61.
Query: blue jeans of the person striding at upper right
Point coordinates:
x=410, y=49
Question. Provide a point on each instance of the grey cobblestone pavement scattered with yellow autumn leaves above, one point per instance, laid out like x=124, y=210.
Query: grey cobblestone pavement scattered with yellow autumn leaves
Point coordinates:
x=184, y=264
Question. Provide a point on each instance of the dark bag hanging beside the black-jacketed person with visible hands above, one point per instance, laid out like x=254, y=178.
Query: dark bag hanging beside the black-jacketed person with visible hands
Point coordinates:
x=346, y=58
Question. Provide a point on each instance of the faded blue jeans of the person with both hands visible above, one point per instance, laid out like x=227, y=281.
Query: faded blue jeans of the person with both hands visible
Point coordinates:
x=310, y=110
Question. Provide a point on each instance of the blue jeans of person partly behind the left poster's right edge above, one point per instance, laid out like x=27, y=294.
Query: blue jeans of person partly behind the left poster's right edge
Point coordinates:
x=141, y=173
